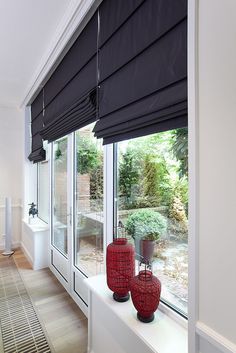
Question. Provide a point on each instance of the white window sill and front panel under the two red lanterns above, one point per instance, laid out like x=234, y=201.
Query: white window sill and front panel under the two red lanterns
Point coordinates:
x=166, y=334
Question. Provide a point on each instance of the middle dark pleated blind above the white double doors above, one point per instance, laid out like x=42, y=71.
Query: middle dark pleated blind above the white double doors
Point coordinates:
x=70, y=95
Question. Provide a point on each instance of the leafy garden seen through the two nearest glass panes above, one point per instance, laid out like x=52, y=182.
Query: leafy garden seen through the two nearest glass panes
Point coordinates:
x=151, y=203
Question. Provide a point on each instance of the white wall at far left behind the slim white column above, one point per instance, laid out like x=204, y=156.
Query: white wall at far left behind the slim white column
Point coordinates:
x=11, y=167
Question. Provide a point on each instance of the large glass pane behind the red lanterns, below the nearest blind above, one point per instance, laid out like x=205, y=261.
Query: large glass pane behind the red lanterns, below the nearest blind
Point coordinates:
x=151, y=206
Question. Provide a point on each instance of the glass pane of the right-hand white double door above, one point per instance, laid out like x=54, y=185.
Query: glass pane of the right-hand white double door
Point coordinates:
x=89, y=202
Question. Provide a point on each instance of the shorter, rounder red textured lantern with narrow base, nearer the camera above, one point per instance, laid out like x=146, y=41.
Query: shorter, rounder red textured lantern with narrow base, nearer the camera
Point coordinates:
x=145, y=293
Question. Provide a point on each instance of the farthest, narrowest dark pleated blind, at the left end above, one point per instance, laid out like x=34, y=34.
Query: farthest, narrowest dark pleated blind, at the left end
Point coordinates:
x=37, y=152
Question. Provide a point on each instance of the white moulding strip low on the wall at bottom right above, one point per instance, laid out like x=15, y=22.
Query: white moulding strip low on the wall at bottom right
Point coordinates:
x=214, y=338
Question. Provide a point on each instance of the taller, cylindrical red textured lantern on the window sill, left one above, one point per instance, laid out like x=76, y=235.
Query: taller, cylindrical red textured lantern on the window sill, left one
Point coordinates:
x=120, y=268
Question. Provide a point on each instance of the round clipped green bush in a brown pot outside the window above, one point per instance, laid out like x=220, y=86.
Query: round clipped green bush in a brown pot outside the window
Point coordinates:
x=146, y=227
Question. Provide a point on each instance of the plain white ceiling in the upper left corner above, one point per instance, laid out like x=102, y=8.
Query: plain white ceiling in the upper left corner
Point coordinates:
x=27, y=31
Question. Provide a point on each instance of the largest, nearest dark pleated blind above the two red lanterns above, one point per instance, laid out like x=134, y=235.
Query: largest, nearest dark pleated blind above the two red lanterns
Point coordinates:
x=142, y=68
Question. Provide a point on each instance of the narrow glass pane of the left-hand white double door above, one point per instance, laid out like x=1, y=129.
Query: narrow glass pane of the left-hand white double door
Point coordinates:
x=60, y=195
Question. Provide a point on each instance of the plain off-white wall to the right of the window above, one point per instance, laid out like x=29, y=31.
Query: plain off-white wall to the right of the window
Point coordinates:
x=217, y=173
